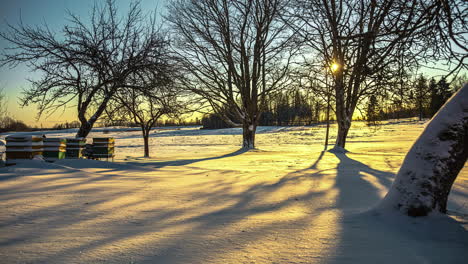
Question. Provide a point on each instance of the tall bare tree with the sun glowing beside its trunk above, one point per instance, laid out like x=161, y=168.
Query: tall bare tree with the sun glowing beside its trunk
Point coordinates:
x=371, y=41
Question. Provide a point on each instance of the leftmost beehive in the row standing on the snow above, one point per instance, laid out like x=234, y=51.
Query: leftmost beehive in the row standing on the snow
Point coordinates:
x=23, y=147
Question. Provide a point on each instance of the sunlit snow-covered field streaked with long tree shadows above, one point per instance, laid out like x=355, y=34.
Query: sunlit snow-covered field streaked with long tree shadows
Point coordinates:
x=202, y=200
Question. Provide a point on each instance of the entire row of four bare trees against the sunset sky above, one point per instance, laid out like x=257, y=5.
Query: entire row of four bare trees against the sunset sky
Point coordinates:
x=235, y=56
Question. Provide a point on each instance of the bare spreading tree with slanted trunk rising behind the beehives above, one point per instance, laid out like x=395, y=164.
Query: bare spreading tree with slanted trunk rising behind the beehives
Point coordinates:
x=88, y=63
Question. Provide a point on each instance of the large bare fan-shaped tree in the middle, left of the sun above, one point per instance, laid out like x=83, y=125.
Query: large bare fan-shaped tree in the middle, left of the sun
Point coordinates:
x=234, y=54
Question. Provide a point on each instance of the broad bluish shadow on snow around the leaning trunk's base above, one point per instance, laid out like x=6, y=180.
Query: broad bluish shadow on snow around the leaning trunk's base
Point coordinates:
x=367, y=236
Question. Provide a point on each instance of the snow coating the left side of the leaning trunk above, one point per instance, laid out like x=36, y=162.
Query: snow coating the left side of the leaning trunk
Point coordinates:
x=423, y=159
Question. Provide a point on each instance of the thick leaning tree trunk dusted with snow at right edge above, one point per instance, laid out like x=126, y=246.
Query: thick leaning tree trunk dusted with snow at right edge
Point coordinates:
x=423, y=182
